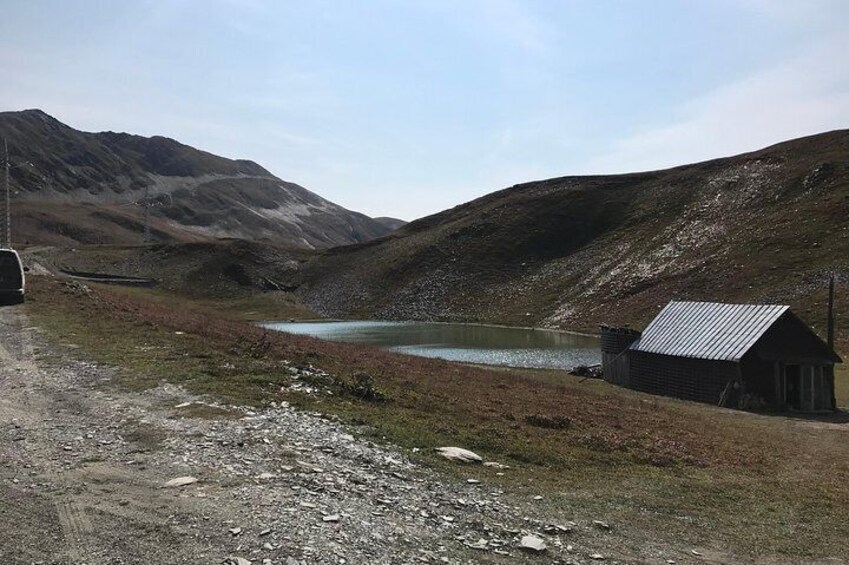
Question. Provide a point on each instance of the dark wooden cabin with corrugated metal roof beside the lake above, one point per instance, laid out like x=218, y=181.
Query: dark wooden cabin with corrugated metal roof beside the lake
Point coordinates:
x=736, y=355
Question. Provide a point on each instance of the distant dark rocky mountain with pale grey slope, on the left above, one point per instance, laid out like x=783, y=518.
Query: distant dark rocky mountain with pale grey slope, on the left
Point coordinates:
x=78, y=187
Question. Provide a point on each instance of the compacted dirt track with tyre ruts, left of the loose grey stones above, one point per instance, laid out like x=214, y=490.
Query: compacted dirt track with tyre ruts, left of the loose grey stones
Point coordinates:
x=75, y=489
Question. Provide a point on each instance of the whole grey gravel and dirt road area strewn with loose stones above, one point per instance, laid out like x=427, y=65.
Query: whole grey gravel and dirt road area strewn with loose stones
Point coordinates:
x=84, y=464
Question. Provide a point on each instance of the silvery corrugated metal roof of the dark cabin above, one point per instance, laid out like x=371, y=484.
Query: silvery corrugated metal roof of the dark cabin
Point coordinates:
x=708, y=330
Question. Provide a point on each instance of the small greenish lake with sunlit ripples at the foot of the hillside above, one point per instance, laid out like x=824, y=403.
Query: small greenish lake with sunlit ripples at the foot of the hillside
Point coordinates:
x=467, y=343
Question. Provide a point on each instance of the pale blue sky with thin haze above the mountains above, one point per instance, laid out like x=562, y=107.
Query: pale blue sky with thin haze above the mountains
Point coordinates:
x=404, y=108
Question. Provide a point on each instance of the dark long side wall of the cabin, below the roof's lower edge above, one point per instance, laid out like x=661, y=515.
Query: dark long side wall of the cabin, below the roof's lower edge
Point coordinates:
x=691, y=379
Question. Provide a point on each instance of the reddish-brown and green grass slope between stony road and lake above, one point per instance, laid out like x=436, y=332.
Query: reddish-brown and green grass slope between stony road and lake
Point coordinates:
x=659, y=468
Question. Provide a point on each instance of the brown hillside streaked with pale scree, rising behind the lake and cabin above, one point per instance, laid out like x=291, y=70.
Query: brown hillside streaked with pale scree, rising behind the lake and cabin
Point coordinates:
x=572, y=252
